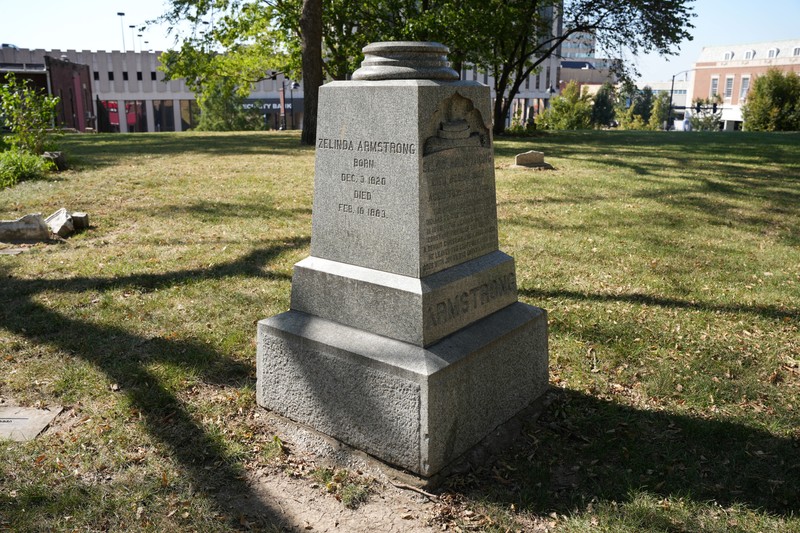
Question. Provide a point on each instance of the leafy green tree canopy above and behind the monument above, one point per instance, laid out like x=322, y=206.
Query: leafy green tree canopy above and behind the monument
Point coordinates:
x=509, y=39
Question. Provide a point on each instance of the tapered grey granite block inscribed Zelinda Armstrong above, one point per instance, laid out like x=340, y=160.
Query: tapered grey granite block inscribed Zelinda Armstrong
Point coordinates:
x=404, y=175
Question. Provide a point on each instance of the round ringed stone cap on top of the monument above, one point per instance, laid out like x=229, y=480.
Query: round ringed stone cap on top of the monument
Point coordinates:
x=405, y=60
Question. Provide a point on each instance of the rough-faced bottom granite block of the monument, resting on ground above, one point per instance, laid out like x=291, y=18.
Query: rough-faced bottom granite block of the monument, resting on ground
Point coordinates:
x=416, y=408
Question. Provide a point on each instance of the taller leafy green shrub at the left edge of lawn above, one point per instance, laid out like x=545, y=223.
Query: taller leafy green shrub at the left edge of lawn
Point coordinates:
x=28, y=113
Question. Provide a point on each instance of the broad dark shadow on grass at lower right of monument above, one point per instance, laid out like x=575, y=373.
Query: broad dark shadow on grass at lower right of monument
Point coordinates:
x=584, y=449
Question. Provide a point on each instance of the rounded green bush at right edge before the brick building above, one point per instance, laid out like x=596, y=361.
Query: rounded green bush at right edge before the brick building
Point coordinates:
x=773, y=103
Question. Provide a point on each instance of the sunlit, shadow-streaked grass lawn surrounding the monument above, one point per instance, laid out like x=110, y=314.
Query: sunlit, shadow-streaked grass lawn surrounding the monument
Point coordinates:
x=669, y=264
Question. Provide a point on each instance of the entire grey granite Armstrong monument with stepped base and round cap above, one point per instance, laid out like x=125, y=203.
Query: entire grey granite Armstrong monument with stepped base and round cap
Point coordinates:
x=405, y=338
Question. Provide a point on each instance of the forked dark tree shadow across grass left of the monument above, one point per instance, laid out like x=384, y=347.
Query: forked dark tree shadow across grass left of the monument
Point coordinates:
x=124, y=358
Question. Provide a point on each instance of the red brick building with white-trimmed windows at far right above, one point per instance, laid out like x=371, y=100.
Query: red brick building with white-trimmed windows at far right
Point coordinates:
x=729, y=71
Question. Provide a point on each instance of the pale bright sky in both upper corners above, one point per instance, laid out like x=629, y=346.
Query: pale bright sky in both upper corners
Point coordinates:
x=95, y=25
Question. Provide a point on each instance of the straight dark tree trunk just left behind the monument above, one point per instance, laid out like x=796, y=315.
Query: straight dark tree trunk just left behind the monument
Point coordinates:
x=311, y=43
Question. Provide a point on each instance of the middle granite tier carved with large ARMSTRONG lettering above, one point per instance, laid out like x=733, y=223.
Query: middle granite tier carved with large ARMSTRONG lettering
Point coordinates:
x=416, y=310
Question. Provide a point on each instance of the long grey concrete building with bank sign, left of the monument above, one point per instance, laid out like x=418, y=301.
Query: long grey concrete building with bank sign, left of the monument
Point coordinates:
x=131, y=94
